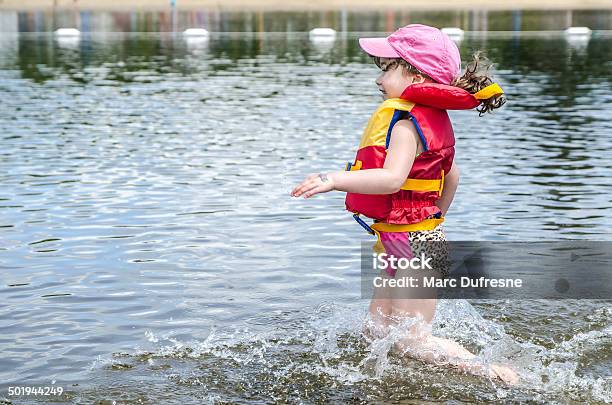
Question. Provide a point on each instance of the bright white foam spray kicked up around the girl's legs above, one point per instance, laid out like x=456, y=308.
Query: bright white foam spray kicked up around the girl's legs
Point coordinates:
x=332, y=334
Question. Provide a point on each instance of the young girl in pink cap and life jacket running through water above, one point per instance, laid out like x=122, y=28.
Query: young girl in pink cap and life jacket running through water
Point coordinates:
x=404, y=176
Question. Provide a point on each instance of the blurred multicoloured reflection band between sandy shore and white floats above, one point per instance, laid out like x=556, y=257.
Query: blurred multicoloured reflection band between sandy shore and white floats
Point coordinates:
x=277, y=21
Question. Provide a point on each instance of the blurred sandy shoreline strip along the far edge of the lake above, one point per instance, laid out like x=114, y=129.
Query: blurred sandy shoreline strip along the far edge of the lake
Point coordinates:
x=302, y=5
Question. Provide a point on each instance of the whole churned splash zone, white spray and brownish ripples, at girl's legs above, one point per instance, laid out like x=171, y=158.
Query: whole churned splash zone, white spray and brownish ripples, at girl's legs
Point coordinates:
x=338, y=346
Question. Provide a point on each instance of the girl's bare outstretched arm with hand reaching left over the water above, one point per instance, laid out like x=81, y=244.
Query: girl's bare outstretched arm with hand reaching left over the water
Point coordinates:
x=387, y=180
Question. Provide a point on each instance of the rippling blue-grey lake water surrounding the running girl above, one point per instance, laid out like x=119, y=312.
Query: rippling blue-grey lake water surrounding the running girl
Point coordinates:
x=150, y=252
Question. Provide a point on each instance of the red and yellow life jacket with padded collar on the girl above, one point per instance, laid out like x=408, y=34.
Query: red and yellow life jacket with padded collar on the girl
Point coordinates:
x=425, y=105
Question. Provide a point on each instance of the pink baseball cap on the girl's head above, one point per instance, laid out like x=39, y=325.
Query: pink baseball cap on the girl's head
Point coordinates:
x=426, y=48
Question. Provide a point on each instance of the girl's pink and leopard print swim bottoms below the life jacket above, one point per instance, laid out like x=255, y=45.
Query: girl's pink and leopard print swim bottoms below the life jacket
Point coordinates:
x=431, y=243
